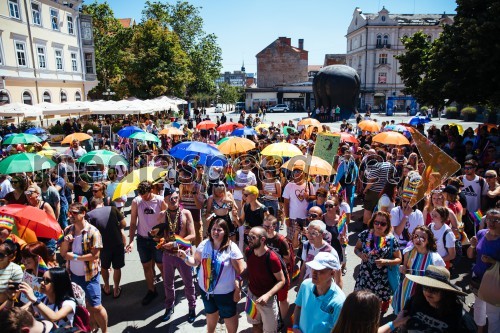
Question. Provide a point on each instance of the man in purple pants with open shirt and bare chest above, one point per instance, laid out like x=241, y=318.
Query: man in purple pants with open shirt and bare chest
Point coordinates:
x=179, y=222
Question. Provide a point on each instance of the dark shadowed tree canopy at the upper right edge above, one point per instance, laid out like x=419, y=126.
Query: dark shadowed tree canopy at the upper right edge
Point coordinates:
x=462, y=64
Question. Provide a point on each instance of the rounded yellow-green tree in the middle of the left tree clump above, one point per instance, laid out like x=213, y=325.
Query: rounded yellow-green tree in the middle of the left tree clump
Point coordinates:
x=156, y=65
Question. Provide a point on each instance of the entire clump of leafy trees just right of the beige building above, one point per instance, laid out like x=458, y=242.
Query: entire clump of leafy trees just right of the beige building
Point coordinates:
x=166, y=53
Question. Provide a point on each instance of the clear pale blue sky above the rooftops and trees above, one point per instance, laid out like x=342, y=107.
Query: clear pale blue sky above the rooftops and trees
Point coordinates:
x=245, y=27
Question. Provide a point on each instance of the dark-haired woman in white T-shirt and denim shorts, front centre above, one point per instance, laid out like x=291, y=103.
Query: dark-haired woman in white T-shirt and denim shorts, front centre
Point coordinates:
x=220, y=288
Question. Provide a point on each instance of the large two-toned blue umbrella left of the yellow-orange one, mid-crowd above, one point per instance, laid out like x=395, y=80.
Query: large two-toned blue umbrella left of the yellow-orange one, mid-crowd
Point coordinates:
x=208, y=155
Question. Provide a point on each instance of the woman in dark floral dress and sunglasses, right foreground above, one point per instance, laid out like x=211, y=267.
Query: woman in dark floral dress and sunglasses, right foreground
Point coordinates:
x=378, y=248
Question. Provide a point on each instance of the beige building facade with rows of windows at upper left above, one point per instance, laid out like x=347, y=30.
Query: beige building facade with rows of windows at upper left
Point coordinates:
x=46, y=52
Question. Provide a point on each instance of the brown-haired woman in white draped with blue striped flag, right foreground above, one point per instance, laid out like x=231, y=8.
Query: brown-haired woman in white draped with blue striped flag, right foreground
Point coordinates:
x=416, y=258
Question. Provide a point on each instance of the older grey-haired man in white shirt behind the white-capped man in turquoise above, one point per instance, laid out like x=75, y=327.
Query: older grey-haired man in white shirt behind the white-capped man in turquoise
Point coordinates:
x=316, y=243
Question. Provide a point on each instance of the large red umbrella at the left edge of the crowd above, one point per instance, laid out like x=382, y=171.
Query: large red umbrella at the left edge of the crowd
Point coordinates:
x=33, y=218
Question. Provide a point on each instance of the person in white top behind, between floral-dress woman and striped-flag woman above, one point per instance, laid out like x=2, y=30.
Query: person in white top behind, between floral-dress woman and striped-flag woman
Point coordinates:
x=405, y=218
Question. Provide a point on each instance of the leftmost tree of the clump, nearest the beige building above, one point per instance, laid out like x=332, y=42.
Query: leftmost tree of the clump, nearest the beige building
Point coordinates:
x=110, y=40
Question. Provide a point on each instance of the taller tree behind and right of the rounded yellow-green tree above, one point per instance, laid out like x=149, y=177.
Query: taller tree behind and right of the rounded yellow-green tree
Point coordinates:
x=204, y=54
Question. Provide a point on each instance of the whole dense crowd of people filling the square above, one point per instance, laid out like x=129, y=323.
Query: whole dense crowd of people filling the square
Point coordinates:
x=253, y=230
